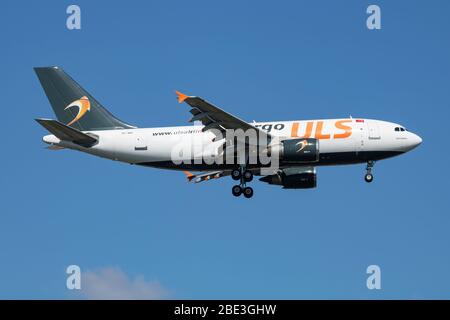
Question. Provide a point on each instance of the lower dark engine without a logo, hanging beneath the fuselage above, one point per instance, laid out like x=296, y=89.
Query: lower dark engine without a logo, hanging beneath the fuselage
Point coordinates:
x=293, y=178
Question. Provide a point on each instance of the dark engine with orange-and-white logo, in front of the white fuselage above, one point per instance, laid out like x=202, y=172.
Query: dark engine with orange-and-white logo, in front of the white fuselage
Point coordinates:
x=296, y=150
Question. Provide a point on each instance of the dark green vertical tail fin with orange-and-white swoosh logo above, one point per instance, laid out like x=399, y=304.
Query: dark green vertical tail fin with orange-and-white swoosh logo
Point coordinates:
x=73, y=105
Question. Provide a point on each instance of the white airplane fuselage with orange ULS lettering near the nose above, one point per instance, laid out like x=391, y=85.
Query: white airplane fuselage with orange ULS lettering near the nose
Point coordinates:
x=342, y=141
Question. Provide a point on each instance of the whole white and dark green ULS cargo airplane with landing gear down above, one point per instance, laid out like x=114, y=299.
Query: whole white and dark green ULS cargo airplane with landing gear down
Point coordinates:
x=296, y=147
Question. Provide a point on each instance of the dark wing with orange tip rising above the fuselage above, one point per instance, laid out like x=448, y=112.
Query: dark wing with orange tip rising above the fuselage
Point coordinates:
x=214, y=117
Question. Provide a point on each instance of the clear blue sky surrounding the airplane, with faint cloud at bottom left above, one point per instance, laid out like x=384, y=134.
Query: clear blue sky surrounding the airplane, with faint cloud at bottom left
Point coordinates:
x=141, y=232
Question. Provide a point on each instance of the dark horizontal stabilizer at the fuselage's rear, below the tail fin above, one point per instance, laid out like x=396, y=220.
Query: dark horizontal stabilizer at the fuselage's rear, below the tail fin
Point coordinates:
x=66, y=133
